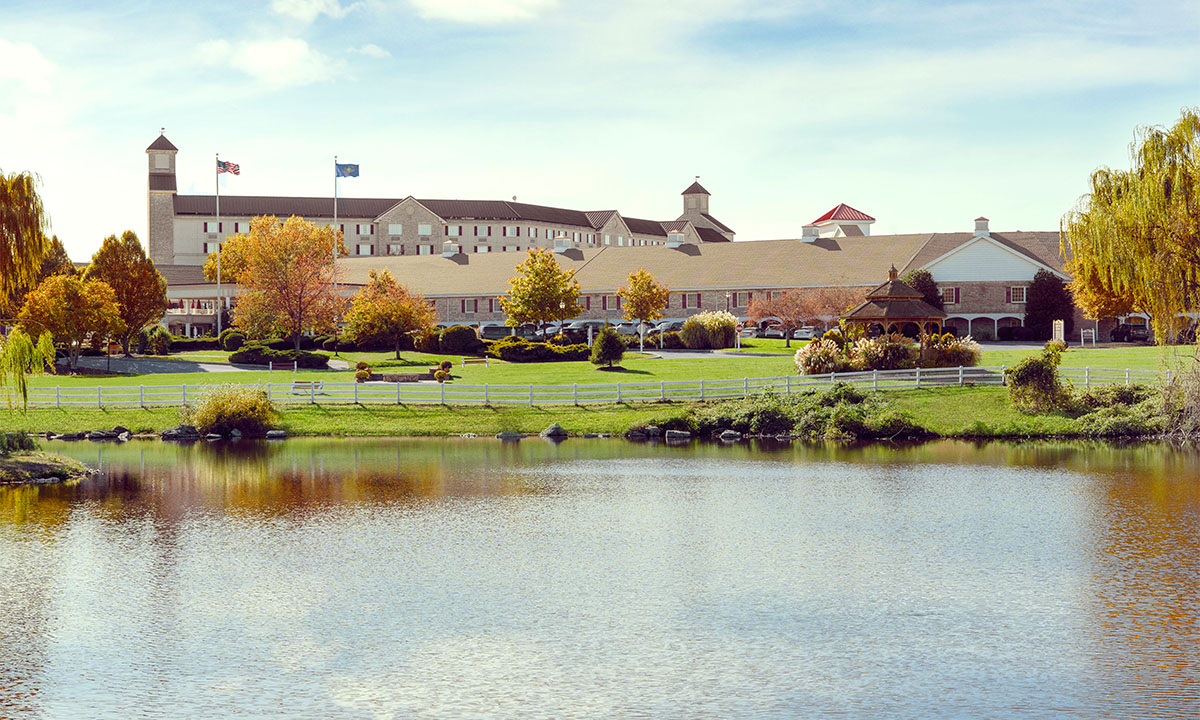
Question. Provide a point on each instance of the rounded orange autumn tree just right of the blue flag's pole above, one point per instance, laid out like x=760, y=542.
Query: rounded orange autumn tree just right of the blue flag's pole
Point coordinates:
x=386, y=311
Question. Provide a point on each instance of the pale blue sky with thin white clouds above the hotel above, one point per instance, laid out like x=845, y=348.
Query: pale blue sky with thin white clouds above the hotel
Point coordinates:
x=922, y=115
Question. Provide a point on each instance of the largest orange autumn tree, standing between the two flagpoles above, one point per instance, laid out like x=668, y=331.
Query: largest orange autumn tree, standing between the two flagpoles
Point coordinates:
x=289, y=279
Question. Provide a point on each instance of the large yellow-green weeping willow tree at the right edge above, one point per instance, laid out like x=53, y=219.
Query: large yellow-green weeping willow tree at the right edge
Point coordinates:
x=1135, y=241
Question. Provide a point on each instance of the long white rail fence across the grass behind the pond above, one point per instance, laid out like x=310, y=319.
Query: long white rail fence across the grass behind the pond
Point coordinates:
x=323, y=393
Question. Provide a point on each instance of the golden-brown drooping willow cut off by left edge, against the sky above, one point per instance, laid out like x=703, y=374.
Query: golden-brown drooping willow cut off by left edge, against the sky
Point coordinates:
x=23, y=244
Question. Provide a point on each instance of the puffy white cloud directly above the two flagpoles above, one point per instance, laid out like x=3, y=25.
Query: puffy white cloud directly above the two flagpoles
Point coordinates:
x=277, y=63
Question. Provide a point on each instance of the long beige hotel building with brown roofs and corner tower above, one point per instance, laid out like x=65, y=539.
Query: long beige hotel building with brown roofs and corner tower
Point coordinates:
x=461, y=254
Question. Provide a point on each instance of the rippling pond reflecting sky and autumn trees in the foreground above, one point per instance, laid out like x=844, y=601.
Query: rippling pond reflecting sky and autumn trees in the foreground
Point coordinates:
x=470, y=579
